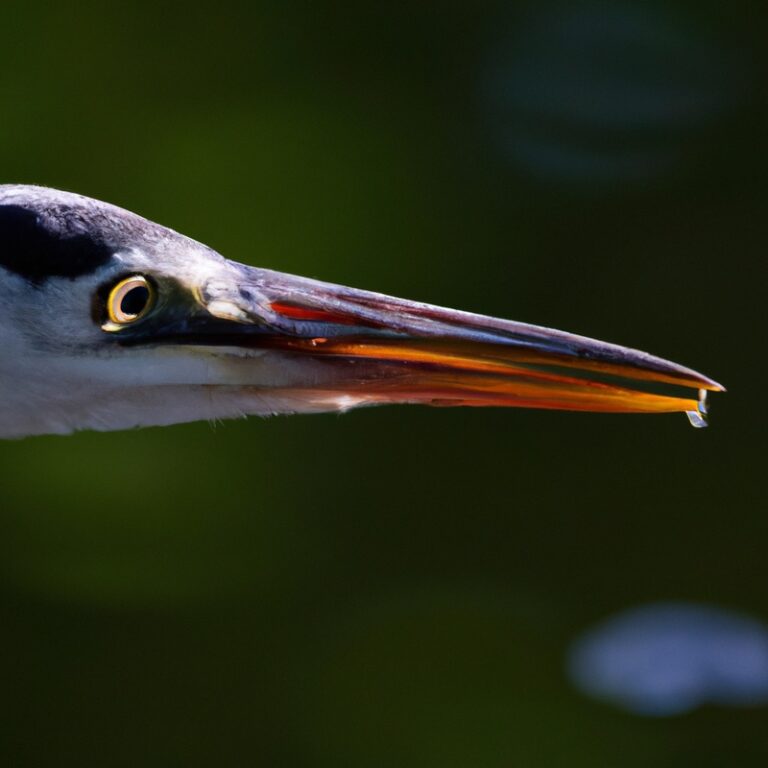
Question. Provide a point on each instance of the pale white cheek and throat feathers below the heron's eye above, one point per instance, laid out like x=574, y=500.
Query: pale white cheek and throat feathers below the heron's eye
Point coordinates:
x=155, y=387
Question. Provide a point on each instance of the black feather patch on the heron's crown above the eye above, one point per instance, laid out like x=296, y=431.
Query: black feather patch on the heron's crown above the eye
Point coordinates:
x=32, y=250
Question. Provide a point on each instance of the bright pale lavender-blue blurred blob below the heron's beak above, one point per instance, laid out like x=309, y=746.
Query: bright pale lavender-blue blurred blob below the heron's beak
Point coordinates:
x=670, y=658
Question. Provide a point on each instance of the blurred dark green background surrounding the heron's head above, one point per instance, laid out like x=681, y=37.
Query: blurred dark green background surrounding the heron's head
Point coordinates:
x=397, y=586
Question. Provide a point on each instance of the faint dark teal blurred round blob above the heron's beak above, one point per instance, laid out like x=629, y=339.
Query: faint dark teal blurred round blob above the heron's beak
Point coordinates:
x=605, y=92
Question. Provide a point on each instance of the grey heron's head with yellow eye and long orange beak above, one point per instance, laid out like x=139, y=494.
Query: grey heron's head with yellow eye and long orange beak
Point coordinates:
x=109, y=321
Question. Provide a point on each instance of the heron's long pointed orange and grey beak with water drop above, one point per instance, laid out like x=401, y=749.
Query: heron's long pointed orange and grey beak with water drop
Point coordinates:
x=379, y=349
